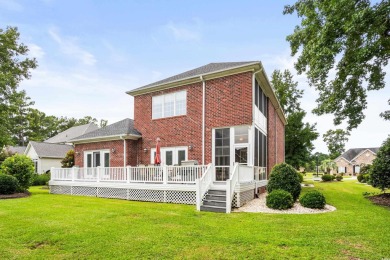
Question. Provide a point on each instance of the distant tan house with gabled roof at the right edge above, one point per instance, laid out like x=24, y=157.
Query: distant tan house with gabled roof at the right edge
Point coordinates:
x=352, y=160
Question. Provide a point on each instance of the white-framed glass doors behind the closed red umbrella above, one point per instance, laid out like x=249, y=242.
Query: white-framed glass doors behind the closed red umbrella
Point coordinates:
x=170, y=155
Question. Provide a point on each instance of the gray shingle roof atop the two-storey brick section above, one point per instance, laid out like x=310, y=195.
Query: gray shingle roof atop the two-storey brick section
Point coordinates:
x=209, y=68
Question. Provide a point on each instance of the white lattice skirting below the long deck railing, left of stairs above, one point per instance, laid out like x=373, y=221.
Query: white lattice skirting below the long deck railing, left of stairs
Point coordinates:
x=168, y=196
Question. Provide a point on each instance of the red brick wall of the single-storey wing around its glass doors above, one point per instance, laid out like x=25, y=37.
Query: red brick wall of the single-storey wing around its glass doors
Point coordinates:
x=116, y=158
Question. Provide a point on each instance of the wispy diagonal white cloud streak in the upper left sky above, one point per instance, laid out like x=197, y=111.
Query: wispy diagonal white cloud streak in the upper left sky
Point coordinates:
x=69, y=47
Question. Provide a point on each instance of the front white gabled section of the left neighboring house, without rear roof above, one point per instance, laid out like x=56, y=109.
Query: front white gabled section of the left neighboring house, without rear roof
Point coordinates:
x=46, y=155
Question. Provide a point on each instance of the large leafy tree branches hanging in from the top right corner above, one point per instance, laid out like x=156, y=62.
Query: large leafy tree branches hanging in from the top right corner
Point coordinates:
x=351, y=37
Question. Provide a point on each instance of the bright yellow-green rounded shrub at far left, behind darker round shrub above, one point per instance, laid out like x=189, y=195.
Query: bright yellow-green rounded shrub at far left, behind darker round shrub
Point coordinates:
x=21, y=167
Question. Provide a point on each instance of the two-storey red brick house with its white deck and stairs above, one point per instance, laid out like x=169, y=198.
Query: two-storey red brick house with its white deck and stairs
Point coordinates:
x=224, y=116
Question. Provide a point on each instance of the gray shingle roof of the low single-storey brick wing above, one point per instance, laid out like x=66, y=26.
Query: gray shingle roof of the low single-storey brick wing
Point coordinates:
x=123, y=127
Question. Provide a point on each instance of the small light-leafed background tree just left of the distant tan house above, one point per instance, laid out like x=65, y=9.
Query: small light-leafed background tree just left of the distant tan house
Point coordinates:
x=335, y=141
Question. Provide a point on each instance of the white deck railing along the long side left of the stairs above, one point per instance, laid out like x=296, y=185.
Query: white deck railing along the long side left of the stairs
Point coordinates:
x=149, y=174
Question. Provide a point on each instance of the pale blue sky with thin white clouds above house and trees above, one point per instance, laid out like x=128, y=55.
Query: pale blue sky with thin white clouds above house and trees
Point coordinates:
x=91, y=52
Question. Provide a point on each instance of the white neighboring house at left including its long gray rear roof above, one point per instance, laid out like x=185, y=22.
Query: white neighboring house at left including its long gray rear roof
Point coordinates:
x=50, y=153
